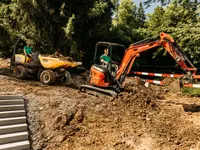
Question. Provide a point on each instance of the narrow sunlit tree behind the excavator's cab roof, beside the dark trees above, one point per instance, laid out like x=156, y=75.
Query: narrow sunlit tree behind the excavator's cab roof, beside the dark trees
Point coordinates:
x=125, y=23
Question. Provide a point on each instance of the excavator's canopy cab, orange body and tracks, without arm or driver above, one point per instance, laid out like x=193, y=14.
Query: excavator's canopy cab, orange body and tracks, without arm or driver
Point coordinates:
x=103, y=78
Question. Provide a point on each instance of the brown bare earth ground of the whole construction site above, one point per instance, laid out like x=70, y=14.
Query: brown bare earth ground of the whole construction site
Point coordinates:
x=62, y=118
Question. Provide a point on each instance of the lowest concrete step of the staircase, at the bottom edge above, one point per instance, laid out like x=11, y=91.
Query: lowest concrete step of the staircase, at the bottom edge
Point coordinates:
x=23, y=145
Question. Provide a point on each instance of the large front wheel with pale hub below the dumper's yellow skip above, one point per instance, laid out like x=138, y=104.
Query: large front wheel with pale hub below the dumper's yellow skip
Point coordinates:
x=47, y=77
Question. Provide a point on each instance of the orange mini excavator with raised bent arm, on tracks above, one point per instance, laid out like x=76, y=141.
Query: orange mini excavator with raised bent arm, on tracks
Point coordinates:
x=111, y=81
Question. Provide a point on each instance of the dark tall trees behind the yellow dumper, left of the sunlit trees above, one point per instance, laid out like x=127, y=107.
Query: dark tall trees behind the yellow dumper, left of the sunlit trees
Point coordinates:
x=66, y=24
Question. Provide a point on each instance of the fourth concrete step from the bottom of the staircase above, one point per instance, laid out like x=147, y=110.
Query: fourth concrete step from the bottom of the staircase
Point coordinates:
x=12, y=121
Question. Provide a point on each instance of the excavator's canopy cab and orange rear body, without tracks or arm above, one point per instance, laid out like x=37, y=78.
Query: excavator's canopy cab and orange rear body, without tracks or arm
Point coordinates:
x=102, y=75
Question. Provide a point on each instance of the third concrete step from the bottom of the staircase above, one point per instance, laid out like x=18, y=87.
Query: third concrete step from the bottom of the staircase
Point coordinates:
x=13, y=128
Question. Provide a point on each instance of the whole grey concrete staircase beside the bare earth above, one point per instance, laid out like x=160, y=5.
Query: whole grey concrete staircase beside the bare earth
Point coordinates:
x=13, y=124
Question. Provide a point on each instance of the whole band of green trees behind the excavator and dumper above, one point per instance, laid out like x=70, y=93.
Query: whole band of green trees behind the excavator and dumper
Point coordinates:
x=74, y=26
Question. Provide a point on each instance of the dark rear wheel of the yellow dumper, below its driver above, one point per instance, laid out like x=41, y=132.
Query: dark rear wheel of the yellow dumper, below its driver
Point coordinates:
x=20, y=72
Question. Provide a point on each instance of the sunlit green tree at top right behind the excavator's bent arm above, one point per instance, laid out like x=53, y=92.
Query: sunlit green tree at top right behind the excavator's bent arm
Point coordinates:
x=181, y=20
